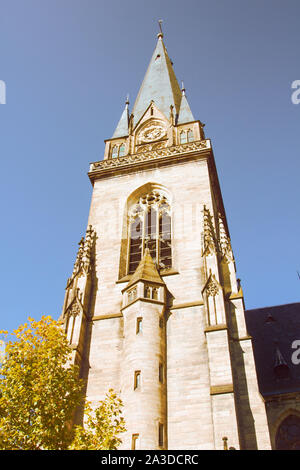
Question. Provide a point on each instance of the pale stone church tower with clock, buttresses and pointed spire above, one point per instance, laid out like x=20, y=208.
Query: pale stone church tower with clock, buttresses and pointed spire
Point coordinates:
x=153, y=308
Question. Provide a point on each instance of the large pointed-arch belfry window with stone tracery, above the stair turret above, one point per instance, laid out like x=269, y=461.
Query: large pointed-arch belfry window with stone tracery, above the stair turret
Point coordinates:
x=150, y=226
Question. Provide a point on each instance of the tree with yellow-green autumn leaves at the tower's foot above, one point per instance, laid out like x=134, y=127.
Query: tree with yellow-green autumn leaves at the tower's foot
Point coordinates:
x=40, y=390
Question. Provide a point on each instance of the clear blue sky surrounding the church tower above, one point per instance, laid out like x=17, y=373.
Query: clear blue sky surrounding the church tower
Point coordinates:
x=68, y=65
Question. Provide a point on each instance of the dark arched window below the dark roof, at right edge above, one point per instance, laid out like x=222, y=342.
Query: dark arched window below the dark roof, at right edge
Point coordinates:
x=287, y=431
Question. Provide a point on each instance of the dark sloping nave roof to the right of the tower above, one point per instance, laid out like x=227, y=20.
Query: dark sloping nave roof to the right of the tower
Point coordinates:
x=273, y=331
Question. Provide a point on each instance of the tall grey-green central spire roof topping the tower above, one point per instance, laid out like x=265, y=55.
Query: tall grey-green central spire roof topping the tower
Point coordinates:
x=160, y=85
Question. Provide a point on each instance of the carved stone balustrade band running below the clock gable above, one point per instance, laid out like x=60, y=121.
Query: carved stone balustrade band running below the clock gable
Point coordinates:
x=110, y=166
